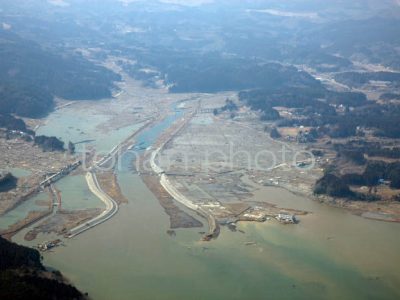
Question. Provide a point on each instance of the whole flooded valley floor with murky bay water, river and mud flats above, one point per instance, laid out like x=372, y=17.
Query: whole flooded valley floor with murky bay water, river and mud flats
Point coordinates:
x=153, y=247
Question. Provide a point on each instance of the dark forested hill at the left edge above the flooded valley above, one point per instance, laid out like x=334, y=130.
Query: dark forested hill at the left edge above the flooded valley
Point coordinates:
x=31, y=76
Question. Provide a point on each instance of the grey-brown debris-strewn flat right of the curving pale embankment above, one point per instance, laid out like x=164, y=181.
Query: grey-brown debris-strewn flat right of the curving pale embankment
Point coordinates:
x=195, y=164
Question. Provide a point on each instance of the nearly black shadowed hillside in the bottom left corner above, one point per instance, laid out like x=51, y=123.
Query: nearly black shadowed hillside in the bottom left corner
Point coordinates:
x=22, y=276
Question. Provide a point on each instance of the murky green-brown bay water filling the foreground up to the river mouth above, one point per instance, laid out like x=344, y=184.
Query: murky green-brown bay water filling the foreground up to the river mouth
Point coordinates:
x=132, y=257
